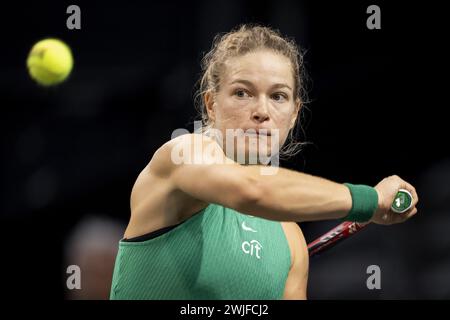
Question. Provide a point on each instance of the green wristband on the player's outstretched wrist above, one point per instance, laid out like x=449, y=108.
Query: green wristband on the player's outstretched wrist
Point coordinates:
x=364, y=202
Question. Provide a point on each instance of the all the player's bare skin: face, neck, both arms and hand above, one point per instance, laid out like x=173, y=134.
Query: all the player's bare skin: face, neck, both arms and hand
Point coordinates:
x=250, y=97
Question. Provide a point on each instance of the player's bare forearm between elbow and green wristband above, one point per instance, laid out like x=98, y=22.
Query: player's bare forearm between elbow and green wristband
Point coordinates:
x=293, y=196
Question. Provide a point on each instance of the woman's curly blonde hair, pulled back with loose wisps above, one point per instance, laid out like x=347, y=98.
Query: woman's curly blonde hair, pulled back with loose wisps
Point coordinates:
x=245, y=39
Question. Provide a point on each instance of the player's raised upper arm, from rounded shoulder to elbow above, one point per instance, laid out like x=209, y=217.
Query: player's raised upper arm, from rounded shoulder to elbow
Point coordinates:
x=196, y=165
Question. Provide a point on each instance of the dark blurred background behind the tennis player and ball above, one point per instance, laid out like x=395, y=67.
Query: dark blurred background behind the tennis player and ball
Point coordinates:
x=71, y=153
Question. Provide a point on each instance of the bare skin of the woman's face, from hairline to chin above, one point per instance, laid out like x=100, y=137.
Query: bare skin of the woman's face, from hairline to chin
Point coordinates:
x=256, y=92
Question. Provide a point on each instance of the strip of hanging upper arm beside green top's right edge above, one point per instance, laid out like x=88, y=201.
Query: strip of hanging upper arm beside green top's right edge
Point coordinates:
x=297, y=281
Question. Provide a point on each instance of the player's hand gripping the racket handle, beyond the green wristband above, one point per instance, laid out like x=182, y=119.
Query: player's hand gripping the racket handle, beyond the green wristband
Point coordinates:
x=387, y=190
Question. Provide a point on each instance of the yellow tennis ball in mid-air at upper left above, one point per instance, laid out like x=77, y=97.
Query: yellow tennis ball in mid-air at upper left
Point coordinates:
x=50, y=62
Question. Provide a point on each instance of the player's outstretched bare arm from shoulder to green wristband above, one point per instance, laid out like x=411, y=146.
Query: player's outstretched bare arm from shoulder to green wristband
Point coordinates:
x=286, y=195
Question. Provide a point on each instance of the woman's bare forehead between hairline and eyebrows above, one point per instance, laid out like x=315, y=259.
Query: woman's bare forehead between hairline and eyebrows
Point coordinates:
x=259, y=66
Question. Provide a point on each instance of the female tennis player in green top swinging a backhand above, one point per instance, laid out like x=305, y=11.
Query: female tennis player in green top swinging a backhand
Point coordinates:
x=207, y=222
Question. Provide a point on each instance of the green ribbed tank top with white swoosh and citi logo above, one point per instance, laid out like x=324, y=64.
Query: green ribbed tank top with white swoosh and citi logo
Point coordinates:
x=218, y=253
